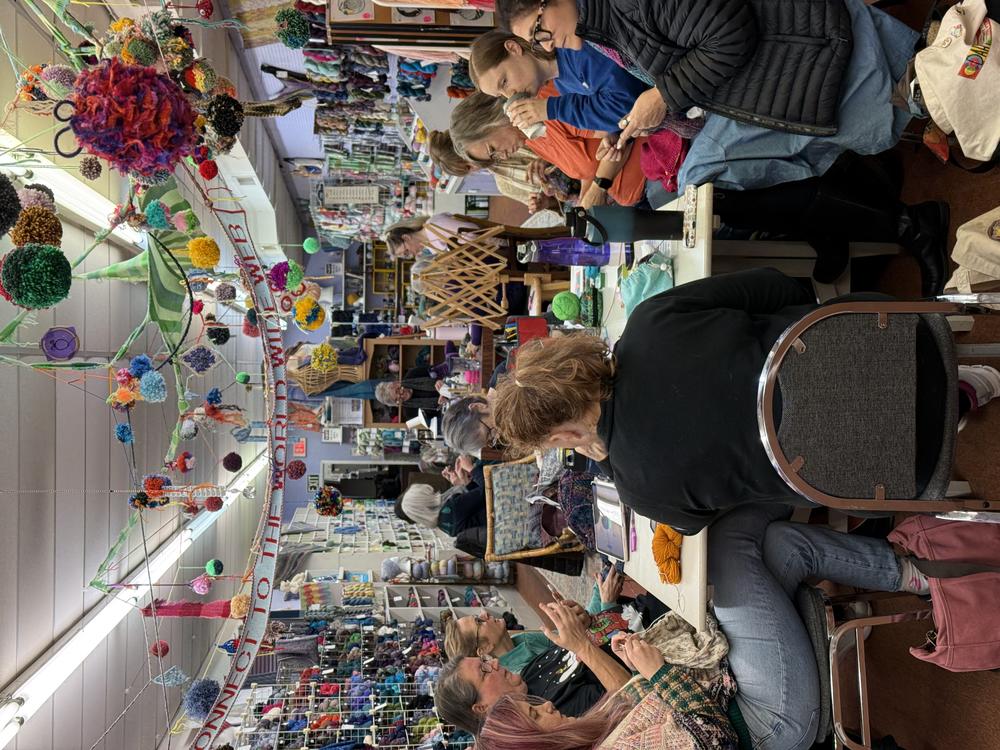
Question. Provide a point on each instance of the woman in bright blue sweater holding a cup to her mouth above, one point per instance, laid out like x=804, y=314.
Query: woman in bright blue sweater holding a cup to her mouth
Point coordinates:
x=594, y=92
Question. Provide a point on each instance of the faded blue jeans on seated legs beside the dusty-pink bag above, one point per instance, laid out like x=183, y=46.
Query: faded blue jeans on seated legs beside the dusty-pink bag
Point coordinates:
x=756, y=560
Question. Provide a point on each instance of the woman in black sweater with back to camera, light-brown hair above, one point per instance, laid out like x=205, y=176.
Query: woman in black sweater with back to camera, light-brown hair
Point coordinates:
x=671, y=414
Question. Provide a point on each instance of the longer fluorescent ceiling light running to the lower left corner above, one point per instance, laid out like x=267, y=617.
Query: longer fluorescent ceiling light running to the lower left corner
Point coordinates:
x=40, y=682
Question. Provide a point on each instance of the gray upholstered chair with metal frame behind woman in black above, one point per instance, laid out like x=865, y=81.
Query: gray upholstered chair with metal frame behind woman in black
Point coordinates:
x=858, y=406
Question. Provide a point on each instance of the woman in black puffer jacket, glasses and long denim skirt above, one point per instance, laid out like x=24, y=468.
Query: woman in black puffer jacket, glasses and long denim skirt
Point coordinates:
x=784, y=93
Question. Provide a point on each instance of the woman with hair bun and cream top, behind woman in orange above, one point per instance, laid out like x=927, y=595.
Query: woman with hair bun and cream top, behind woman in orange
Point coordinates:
x=523, y=177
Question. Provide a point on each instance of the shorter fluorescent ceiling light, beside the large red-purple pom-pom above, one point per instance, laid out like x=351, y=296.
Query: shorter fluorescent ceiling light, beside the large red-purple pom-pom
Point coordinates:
x=71, y=194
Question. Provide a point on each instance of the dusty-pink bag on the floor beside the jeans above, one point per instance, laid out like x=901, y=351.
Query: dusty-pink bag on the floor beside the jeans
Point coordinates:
x=967, y=607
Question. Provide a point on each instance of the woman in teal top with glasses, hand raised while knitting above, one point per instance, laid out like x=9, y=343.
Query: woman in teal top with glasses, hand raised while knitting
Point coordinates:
x=485, y=634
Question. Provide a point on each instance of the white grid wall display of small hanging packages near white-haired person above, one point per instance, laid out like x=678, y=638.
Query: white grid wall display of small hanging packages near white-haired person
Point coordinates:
x=379, y=530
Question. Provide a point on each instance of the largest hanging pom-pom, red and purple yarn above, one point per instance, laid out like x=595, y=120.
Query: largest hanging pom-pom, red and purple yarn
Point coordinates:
x=133, y=117
